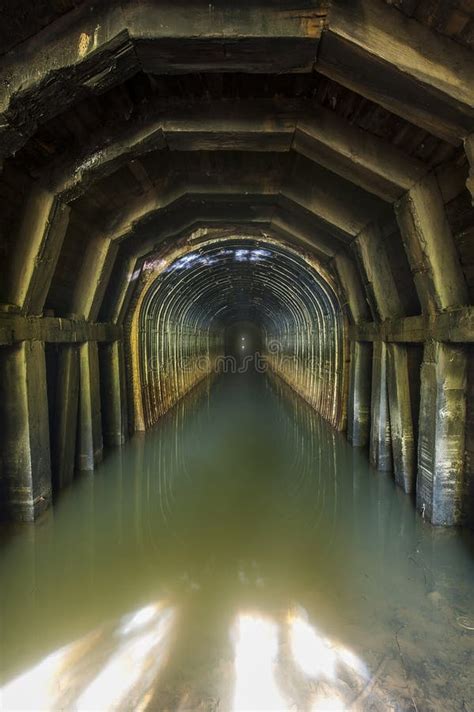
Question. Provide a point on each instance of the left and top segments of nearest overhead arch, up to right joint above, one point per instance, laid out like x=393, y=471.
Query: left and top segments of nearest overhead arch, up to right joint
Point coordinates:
x=98, y=46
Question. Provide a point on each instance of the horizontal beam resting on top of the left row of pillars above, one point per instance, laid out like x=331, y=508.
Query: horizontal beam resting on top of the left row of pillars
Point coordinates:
x=16, y=327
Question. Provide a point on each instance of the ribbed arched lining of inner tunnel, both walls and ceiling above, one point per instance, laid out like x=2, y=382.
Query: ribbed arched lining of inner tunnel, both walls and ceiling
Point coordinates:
x=190, y=296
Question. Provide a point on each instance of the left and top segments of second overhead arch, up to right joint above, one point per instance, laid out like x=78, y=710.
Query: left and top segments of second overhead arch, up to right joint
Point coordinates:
x=259, y=125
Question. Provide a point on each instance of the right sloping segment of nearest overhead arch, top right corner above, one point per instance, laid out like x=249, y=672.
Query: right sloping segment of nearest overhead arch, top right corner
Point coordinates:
x=400, y=64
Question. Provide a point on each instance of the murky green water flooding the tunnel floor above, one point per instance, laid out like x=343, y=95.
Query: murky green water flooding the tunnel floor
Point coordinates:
x=240, y=556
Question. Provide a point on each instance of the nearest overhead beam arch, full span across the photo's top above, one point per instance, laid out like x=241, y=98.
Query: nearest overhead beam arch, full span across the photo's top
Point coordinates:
x=91, y=49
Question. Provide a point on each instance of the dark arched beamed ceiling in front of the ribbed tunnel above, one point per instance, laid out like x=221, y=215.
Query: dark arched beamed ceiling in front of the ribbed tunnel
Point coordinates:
x=142, y=121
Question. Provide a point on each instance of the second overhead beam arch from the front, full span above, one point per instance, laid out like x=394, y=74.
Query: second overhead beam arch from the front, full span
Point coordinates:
x=260, y=125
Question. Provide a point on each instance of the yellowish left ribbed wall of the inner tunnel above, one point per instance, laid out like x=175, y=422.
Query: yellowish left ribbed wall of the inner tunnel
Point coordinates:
x=171, y=346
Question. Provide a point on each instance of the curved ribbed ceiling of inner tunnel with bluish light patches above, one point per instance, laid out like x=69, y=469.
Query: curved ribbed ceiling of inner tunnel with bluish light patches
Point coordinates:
x=246, y=278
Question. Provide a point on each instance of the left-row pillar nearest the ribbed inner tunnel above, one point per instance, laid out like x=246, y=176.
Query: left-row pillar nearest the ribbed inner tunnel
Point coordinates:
x=114, y=396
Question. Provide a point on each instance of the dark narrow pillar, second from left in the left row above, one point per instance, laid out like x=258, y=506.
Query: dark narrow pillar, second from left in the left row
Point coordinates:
x=63, y=439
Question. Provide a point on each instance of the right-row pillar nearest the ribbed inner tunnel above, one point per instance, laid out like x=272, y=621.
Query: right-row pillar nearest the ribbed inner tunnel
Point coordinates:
x=358, y=408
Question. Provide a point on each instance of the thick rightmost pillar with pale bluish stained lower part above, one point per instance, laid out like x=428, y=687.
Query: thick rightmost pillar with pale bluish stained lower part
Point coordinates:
x=441, y=432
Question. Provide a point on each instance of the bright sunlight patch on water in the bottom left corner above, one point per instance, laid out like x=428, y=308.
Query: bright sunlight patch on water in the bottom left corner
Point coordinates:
x=61, y=681
